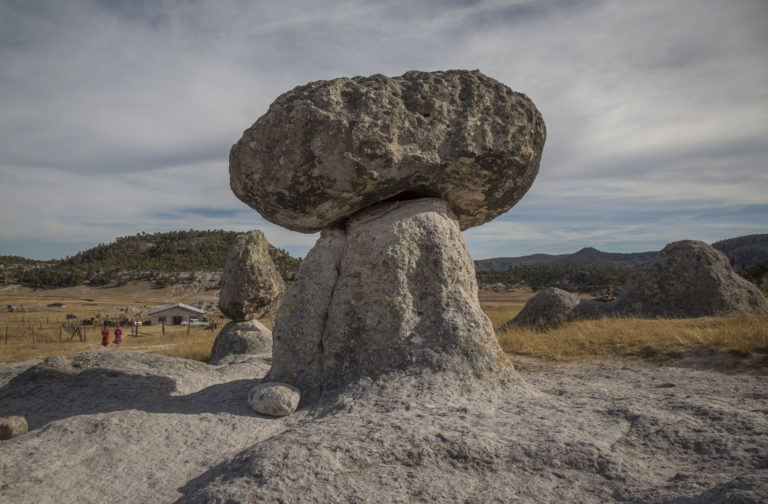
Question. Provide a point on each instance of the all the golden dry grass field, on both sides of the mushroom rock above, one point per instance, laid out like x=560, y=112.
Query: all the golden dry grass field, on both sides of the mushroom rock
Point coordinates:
x=37, y=328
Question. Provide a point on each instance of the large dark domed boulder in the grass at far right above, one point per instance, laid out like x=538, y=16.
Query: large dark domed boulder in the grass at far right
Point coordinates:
x=688, y=279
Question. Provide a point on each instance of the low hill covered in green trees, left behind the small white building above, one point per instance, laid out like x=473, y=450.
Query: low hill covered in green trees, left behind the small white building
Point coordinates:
x=139, y=257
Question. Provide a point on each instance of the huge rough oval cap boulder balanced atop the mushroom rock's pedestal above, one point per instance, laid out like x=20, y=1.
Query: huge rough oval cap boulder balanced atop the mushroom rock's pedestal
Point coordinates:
x=325, y=150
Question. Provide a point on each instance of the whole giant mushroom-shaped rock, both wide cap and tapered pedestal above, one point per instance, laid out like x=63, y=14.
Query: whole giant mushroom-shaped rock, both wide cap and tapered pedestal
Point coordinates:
x=391, y=170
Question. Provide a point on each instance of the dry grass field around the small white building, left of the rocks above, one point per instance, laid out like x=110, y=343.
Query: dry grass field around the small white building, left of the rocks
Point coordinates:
x=38, y=326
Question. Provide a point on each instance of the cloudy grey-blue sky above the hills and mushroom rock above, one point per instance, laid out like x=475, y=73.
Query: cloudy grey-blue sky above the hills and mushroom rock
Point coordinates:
x=117, y=117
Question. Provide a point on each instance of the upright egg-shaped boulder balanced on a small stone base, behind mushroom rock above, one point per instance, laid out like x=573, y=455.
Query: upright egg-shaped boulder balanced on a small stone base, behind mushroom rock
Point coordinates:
x=251, y=287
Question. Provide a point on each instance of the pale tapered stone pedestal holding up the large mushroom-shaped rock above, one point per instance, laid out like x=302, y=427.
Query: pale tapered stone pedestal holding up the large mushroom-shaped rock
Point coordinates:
x=396, y=291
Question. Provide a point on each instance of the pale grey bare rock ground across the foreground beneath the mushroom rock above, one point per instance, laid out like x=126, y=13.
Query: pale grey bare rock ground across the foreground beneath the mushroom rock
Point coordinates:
x=139, y=428
